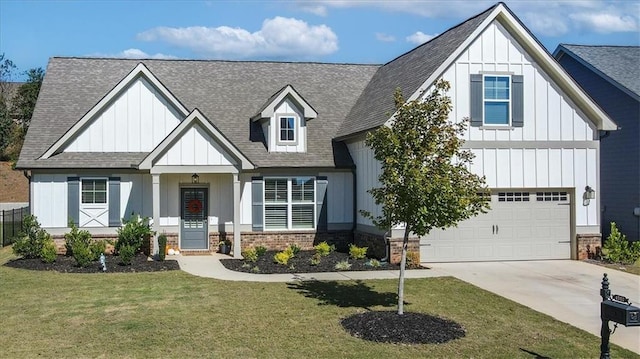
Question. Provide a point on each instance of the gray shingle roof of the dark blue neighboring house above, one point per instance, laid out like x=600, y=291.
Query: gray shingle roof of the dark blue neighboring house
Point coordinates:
x=620, y=63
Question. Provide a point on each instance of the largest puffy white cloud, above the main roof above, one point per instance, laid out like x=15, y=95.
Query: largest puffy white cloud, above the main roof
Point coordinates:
x=278, y=38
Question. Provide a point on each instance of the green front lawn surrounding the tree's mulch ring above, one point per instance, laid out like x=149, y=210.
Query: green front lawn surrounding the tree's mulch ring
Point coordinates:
x=173, y=314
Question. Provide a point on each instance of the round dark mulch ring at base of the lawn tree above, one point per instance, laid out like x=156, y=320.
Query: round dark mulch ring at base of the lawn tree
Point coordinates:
x=409, y=328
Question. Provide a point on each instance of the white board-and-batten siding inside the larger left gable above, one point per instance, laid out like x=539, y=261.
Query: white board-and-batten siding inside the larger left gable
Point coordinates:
x=136, y=121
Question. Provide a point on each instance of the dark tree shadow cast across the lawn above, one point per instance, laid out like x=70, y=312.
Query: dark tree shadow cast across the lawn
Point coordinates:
x=344, y=294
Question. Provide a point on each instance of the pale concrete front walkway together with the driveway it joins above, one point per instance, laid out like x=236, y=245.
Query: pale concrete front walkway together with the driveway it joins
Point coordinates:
x=568, y=291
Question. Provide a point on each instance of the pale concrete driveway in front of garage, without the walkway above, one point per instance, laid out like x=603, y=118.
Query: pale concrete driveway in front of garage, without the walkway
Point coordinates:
x=566, y=290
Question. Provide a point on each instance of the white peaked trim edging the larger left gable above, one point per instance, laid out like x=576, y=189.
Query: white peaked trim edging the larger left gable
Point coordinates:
x=139, y=71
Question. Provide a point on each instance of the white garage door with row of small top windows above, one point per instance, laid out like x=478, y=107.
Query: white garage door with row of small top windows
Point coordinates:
x=519, y=226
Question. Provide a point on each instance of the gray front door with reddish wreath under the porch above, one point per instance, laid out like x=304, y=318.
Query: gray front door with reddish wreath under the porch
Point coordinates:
x=194, y=218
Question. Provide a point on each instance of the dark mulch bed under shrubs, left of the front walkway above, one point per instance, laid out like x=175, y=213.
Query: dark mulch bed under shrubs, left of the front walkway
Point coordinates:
x=66, y=264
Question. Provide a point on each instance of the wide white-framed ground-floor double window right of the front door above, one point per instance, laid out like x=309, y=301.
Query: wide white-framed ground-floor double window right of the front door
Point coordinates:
x=289, y=203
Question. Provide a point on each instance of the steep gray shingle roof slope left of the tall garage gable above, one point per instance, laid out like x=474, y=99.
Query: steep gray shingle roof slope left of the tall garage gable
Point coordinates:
x=406, y=72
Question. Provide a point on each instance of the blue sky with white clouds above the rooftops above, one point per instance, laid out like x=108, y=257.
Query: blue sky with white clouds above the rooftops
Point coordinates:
x=340, y=31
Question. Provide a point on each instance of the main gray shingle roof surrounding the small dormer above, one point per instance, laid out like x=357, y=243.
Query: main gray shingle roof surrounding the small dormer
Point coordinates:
x=228, y=94
